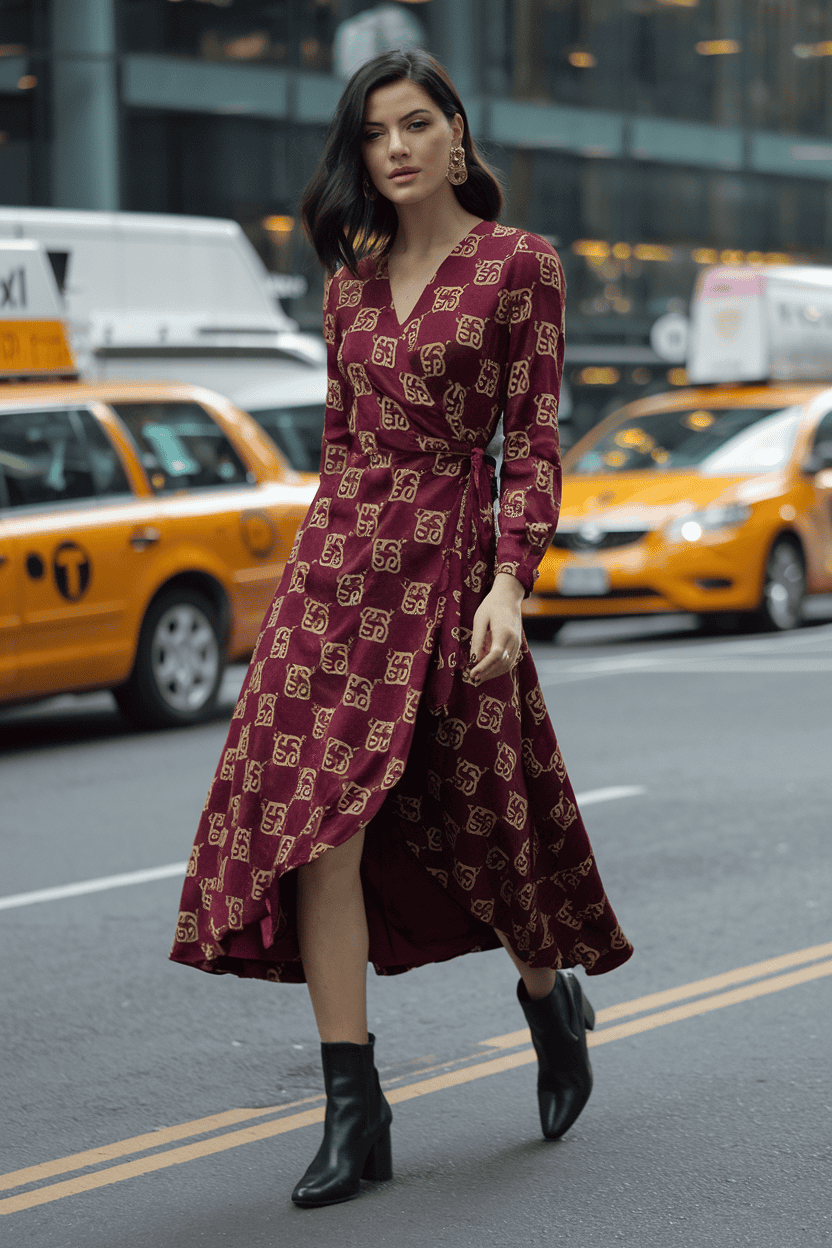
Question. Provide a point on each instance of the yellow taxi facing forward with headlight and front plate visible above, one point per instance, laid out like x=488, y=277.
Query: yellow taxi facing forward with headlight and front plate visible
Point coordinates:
x=715, y=500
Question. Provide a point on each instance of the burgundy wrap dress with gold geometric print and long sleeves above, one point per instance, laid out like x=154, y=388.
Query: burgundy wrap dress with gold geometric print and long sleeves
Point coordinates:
x=359, y=711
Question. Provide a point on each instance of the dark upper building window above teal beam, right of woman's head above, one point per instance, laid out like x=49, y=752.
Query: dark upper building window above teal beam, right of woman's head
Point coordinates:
x=759, y=66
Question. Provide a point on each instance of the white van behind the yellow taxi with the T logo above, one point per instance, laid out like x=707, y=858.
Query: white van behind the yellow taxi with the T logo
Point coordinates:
x=183, y=299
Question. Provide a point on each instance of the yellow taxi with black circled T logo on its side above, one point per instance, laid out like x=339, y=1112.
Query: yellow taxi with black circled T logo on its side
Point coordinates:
x=143, y=532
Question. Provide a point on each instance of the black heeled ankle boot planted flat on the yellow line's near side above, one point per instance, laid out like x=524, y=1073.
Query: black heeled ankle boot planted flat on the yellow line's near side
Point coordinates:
x=356, y=1131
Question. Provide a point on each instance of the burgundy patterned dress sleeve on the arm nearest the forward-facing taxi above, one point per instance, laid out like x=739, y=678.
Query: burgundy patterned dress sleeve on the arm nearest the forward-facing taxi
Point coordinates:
x=531, y=479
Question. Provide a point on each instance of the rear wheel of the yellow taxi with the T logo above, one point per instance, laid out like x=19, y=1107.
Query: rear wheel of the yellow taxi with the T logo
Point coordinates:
x=179, y=663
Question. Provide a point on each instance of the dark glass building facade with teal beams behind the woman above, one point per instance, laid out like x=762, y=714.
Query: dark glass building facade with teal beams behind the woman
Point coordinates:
x=644, y=138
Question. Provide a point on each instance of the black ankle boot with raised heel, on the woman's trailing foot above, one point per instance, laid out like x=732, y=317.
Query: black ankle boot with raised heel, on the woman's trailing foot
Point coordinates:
x=559, y=1026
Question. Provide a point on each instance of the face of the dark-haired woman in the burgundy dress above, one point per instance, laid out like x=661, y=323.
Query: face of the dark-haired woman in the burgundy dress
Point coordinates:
x=407, y=143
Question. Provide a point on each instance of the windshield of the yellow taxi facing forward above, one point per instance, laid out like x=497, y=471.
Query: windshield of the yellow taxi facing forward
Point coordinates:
x=717, y=442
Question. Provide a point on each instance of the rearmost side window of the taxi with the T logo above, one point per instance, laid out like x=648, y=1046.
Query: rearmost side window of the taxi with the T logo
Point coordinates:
x=181, y=447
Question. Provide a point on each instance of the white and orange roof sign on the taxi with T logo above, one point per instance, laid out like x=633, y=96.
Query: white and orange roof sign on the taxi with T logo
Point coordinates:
x=33, y=333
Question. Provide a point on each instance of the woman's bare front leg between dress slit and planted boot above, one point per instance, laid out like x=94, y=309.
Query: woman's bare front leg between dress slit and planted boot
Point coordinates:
x=335, y=944
